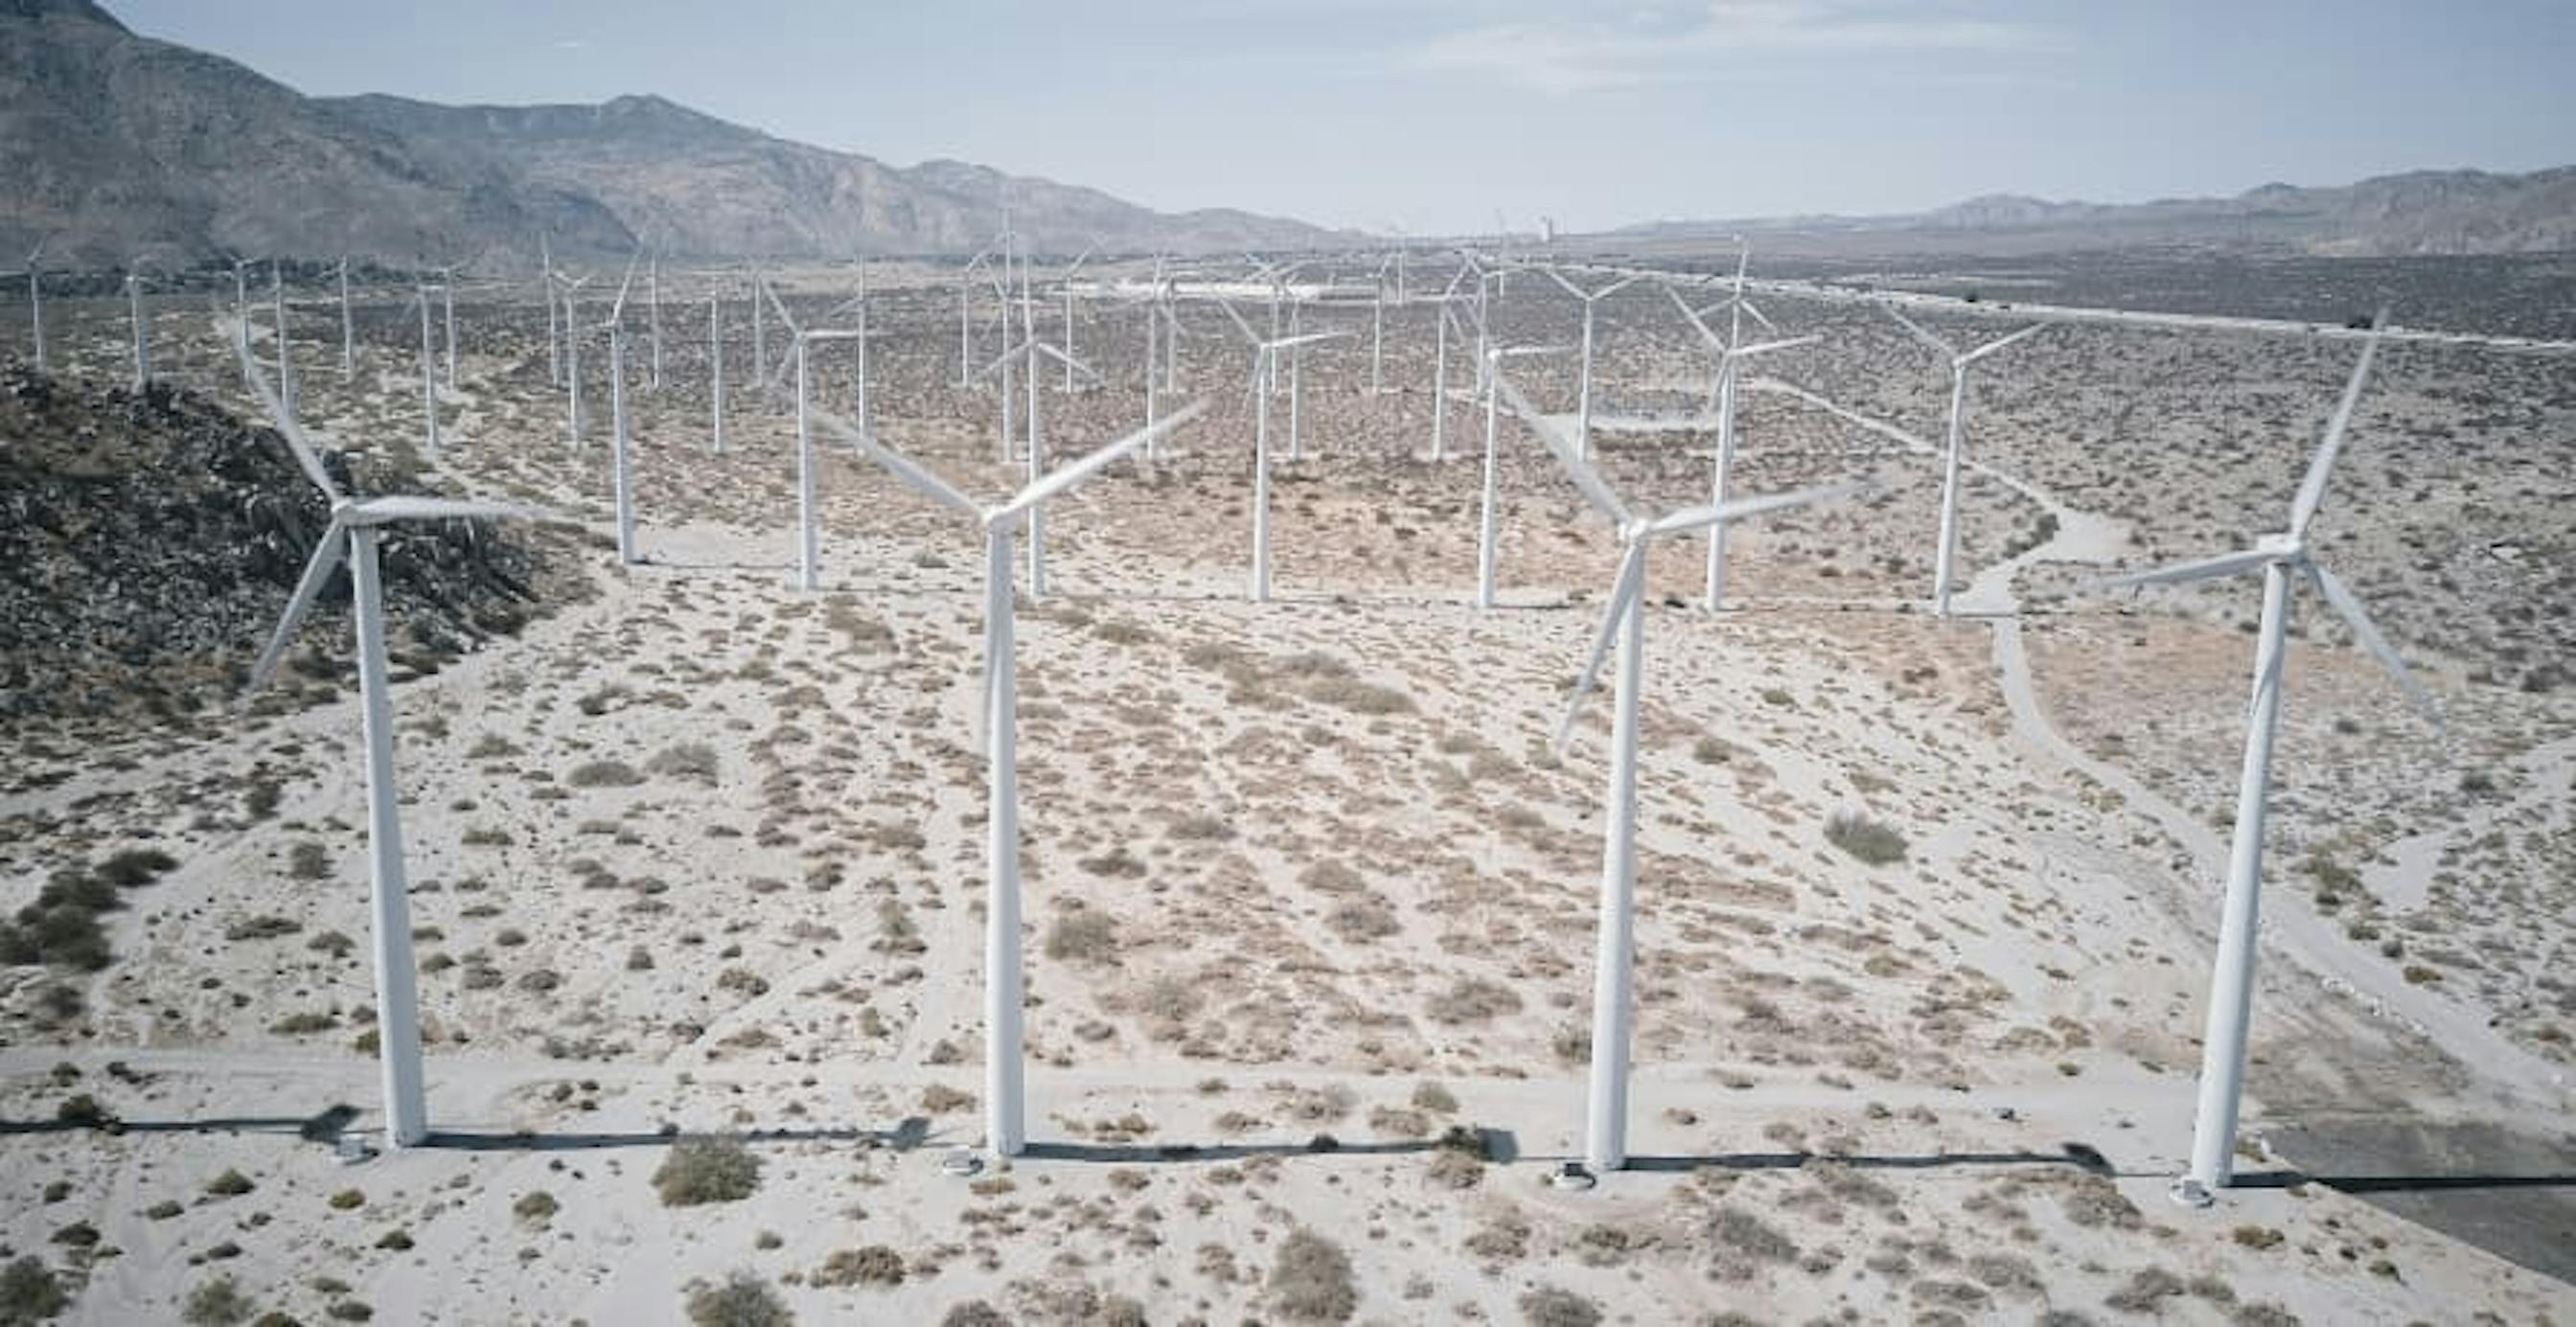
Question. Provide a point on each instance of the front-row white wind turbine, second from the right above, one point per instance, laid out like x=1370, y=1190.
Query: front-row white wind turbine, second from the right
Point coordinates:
x=1624, y=622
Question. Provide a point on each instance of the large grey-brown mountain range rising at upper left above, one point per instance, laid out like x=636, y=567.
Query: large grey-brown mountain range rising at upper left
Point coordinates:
x=120, y=146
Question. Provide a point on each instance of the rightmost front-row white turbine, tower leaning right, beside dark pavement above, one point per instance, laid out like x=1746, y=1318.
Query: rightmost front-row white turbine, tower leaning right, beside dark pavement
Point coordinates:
x=2281, y=560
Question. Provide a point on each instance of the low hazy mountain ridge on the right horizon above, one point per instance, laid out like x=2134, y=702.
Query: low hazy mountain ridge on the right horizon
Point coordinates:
x=2387, y=215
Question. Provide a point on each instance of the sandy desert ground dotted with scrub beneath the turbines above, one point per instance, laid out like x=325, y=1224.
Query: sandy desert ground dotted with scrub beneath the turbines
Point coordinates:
x=697, y=859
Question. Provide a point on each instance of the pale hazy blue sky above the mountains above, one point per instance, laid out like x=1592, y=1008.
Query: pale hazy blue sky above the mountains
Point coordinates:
x=1436, y=115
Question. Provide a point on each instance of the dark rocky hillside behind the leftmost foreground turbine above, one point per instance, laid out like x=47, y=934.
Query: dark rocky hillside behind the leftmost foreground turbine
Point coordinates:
x=148, y=545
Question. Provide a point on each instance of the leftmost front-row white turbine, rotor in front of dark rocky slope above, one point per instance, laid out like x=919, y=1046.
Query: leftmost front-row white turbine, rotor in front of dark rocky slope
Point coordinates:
x=352, y=535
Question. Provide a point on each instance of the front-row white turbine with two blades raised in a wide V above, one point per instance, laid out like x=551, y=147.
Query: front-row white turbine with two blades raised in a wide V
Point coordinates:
x=1006, y=1089
